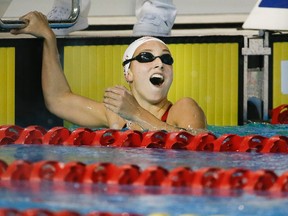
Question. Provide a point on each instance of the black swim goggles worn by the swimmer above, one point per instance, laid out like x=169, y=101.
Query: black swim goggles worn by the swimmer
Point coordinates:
x=145, y=57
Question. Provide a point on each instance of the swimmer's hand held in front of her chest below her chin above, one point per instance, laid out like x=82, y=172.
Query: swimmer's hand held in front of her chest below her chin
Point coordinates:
x=120, y=101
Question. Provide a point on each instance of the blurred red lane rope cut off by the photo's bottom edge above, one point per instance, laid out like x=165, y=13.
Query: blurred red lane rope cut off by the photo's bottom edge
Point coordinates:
x=45, y=212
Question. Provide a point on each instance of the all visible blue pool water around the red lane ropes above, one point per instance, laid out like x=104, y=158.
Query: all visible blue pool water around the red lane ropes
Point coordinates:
x=85, y=198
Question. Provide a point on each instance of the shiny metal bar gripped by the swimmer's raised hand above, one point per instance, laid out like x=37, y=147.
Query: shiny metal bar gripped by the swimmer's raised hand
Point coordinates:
x=75, y=12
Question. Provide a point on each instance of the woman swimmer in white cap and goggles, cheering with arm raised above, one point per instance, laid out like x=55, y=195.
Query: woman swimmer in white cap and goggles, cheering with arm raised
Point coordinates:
x=148, y=69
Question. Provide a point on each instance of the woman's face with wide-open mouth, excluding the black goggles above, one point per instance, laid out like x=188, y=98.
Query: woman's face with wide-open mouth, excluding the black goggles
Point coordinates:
x=150, y=81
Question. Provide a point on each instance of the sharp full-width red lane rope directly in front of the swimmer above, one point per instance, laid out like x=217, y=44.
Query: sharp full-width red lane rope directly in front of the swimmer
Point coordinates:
x=10, y=134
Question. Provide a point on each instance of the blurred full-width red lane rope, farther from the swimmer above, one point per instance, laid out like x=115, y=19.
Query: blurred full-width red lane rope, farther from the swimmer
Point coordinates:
x=111, y=174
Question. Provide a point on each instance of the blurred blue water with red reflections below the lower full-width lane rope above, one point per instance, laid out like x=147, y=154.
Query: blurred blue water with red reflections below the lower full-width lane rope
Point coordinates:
x=83, y=199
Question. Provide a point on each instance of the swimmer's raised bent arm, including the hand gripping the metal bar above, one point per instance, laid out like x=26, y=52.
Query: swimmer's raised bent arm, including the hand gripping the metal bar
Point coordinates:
x=57, y=94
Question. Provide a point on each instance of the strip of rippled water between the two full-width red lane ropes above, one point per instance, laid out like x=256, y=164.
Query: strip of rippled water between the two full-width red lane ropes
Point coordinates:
x=145, y=157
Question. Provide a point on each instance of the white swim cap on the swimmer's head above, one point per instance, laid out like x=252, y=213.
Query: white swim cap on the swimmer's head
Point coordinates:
x=132, y=48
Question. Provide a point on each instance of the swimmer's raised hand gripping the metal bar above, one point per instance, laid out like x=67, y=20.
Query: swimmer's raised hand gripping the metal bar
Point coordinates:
x=37, y=25
